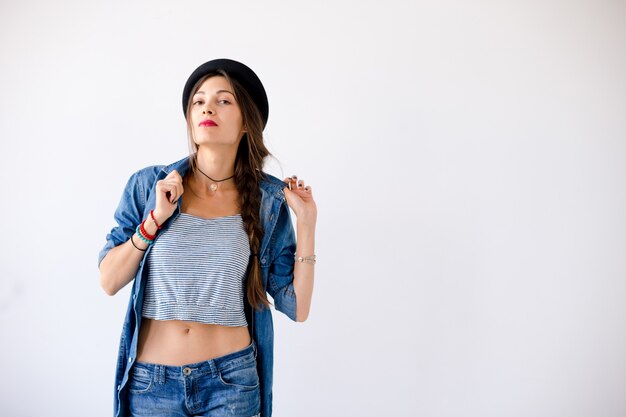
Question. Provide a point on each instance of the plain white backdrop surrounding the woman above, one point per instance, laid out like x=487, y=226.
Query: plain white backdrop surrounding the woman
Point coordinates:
x=468, y=162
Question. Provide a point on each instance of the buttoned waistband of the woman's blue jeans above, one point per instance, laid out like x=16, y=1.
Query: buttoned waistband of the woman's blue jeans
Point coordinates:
x=209, y=367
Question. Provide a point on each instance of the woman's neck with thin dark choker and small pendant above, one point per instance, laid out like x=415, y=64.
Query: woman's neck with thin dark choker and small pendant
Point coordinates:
x=217, y=163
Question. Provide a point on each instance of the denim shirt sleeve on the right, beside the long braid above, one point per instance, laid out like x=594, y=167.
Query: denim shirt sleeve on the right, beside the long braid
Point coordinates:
x=280, y=280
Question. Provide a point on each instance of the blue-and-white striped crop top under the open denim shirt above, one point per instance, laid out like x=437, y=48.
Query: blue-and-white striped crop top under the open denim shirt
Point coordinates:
x=196, y=271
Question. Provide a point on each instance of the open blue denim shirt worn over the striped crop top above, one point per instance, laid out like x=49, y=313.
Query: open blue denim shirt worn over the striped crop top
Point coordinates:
x=276, y=256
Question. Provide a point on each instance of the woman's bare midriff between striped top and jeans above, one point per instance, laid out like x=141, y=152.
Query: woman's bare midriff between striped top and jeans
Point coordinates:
x=177, y=343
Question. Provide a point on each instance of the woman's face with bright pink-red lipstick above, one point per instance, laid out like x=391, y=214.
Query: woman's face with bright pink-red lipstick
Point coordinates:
x=215, y=102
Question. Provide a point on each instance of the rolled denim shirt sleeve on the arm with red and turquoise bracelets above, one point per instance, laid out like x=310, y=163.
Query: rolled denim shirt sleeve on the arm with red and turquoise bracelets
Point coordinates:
x=128, y=215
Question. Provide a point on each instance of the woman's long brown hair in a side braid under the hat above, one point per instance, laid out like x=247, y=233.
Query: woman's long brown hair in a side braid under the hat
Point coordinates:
x=249, y=162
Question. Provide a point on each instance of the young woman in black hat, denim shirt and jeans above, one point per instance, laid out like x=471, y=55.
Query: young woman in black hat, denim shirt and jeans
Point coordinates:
x=205, y=239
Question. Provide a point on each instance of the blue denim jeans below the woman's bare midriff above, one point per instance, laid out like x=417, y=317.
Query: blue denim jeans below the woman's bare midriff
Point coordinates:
x=224, y=386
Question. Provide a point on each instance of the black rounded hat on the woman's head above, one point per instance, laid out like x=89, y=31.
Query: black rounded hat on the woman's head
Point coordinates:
x=240, y=72
